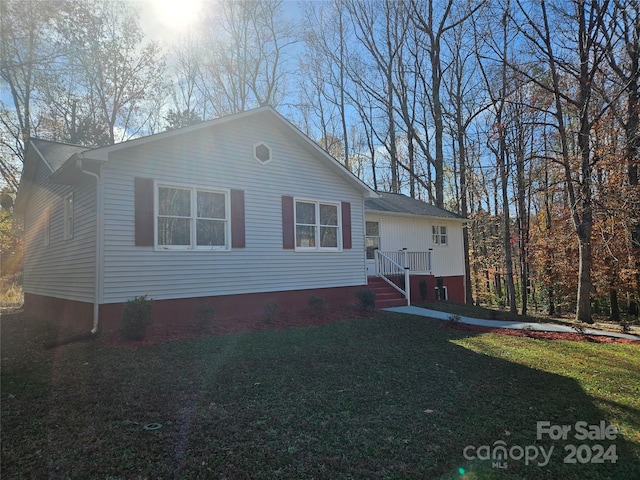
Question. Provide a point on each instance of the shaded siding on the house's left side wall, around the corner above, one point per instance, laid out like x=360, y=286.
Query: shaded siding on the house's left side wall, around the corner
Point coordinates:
x=66, y=267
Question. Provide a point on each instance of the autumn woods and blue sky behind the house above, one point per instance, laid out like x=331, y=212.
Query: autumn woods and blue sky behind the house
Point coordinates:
x=522, y=115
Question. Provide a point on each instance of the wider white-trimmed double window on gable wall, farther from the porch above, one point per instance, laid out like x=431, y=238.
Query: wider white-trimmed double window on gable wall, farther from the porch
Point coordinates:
x=191, y=218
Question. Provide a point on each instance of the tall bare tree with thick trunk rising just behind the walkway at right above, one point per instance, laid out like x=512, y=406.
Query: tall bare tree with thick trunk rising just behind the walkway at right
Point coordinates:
x=584, y=36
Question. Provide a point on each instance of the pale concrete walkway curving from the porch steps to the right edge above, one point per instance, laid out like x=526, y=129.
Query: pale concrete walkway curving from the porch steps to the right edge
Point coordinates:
x=544, y=327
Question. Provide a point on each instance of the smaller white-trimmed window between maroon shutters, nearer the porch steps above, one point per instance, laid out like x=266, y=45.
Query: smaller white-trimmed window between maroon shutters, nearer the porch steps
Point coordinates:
x=317, y=225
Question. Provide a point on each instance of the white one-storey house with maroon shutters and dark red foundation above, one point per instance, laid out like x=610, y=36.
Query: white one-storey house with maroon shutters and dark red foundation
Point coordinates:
x=232, y=212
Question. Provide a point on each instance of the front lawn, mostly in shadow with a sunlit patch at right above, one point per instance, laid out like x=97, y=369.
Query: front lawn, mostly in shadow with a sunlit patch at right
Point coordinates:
x=389, y=397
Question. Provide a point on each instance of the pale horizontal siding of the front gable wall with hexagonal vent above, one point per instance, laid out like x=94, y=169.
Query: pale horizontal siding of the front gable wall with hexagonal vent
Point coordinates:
x=222, y=159
